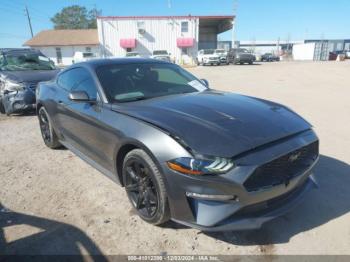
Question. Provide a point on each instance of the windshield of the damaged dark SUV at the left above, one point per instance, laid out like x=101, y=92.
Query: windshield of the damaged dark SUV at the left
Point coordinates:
x=26, y=62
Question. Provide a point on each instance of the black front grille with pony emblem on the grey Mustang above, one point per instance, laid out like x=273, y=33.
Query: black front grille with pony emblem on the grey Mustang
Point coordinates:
x=282, y=169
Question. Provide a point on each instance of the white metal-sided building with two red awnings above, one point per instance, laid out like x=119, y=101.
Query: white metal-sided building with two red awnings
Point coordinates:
x=179, y=35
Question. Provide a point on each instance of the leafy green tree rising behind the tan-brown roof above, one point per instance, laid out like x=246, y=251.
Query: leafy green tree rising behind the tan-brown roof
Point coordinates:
x=75, y=17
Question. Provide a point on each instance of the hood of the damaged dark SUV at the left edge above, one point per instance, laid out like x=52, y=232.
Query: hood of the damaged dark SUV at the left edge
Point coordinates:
x=34, y=76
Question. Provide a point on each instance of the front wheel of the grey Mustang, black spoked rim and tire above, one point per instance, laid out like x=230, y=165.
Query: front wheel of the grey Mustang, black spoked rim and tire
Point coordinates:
x=145, y=187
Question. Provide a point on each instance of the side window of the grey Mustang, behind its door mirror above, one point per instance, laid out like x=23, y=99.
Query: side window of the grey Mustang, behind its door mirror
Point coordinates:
x=78, y=79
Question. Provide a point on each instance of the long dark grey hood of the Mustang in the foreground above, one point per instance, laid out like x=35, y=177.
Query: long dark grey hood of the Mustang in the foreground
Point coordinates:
x=217, y=123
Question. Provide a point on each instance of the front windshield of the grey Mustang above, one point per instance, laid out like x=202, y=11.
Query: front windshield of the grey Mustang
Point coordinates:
x=131, y=82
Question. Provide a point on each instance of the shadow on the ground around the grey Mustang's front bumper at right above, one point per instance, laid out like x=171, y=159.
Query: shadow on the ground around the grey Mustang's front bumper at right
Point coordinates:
x=328, y=202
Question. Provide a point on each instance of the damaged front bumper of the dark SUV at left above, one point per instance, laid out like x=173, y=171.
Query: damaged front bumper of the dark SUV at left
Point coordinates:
x=18, y=101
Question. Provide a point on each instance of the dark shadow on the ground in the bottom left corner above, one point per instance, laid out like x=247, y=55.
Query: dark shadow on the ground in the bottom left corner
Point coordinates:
x=53, y=238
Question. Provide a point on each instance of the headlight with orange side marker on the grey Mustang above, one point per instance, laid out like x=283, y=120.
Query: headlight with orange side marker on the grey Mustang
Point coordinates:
x=193, y=166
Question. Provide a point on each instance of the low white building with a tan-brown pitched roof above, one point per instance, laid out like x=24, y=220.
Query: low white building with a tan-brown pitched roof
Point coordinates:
x=61, y=45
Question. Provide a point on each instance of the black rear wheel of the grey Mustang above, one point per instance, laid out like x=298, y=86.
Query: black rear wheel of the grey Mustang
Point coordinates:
x=48, y=134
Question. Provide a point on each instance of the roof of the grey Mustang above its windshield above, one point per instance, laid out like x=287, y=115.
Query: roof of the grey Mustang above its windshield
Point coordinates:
x=118, y=61
